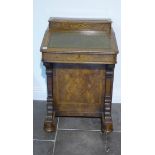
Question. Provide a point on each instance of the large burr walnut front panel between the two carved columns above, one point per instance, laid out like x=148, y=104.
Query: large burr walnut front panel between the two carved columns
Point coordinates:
x=78, y=89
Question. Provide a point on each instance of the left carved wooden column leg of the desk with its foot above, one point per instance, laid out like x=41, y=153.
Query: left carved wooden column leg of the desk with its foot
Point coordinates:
x=49, y=123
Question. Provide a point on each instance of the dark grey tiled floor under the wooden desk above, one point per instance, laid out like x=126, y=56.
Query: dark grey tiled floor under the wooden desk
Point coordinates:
x=75, y=136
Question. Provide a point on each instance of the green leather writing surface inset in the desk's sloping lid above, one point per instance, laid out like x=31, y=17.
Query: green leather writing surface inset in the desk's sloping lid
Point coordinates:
x=85, y=39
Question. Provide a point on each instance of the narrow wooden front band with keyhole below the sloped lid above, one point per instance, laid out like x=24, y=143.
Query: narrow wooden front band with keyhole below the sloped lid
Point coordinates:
x=79, y=58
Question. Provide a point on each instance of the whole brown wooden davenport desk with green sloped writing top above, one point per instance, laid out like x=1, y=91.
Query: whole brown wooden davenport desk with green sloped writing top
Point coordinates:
x=79, y=56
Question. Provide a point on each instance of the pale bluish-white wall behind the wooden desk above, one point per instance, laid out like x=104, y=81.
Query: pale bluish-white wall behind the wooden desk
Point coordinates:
x=43, y=9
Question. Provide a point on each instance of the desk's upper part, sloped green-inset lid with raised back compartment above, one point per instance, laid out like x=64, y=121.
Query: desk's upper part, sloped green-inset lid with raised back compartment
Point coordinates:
x=79, y=35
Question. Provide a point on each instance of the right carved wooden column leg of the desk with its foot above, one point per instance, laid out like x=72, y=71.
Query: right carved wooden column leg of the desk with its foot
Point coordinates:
x=106, y=117
